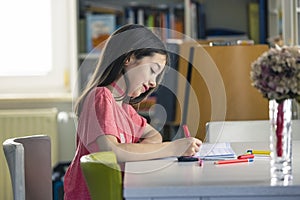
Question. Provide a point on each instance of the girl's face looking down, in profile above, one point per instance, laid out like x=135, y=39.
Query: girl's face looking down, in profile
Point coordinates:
x=142, y=73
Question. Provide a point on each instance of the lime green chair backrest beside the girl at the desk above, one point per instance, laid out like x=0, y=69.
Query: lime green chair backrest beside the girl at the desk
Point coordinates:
x=103, y=175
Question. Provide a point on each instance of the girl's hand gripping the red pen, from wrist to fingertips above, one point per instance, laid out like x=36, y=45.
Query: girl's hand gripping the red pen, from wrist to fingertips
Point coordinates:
x=187, y=146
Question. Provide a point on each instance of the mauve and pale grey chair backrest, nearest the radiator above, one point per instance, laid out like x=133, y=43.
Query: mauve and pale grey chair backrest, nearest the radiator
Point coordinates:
x=29, y=162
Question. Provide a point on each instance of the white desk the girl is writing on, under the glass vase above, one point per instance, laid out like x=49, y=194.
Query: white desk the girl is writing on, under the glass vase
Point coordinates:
x=167, y=179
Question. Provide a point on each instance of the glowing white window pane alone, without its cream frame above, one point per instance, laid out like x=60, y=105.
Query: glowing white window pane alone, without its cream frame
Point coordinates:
x=26, y=34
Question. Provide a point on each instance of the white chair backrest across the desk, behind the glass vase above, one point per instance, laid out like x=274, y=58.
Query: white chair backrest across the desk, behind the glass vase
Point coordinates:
x=244, y=131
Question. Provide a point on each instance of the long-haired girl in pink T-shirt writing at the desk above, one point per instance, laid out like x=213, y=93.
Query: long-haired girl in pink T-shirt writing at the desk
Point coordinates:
x=131, y=66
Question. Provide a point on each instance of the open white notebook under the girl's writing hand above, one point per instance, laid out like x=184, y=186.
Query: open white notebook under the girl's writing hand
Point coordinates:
x=216, y=151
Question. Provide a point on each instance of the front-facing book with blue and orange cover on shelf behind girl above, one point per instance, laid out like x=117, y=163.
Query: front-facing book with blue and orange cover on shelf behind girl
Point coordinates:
x=98, y=29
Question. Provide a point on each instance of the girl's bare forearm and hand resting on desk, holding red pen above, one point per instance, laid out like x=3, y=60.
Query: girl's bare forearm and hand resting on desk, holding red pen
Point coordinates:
x=144, y=151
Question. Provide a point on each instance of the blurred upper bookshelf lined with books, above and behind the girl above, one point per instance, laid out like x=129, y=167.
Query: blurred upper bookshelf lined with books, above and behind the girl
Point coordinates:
x=197, y=19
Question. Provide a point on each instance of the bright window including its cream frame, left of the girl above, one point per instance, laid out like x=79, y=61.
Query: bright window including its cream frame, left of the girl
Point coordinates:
x=37, y=45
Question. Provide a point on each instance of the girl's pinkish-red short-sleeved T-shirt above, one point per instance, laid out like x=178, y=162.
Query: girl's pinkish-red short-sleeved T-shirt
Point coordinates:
x=101, y=115
